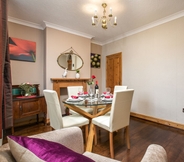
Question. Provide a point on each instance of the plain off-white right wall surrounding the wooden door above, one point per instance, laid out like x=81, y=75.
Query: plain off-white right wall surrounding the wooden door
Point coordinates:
x=153, y=65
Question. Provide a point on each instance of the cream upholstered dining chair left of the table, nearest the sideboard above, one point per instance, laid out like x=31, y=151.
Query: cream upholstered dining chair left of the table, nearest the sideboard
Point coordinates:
x=56, y=119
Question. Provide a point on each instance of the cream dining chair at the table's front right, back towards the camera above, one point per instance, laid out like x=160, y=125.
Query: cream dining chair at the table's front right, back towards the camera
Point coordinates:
x=118, y=117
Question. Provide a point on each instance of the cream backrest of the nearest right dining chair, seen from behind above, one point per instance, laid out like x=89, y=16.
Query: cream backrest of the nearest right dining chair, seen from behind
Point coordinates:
x=120, y=109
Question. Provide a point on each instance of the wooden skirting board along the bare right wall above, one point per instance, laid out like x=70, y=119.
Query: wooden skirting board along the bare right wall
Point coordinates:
x=160, y=121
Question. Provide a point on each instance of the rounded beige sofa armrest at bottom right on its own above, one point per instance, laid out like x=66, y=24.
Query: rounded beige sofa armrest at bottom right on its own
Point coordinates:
x=154, y=153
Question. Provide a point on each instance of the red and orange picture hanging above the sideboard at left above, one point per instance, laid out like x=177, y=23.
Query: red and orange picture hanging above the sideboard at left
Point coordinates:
x=22, y=50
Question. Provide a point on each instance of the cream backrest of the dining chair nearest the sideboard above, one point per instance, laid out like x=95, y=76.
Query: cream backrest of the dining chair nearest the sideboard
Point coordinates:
x=53, y=108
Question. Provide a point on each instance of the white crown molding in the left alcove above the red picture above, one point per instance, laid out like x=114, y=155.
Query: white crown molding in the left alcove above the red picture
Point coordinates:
x=25, y=23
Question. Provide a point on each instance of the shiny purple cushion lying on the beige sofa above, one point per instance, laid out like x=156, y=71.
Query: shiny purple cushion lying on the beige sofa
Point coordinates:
x=50, y=151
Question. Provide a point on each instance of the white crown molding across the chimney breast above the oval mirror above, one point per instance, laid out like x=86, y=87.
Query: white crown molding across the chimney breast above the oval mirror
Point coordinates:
x=61, y=28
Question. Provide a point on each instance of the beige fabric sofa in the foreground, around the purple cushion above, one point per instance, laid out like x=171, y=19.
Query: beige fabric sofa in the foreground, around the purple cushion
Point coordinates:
x=72, y=139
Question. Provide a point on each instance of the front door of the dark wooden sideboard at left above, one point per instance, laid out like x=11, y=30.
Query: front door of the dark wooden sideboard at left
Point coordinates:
x=29, y=107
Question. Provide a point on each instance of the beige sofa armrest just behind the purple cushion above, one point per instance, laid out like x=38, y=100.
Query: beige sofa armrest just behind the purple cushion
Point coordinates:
x=71, y=137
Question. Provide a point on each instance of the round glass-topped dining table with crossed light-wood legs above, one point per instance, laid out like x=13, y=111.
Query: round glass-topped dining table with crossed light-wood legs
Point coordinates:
x=100, y=107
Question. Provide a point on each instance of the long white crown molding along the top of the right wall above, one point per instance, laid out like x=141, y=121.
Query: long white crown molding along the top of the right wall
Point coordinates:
x=148, y=26
